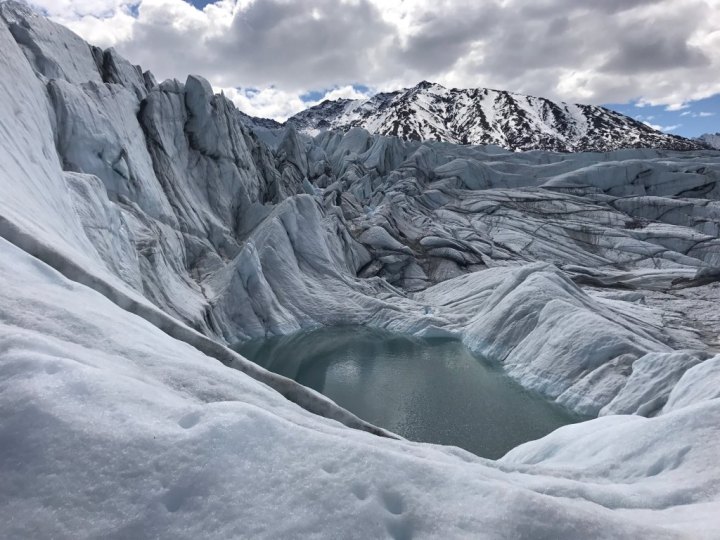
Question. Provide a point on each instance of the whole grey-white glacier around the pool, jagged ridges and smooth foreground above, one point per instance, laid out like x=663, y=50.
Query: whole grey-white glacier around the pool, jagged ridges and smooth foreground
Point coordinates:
x=145, y=226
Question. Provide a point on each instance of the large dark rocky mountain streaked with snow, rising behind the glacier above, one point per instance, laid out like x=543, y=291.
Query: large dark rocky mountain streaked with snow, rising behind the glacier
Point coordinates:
x=483, y=116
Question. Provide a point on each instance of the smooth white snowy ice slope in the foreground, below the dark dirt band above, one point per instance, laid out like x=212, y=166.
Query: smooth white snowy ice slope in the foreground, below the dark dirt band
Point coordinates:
x=110, y=427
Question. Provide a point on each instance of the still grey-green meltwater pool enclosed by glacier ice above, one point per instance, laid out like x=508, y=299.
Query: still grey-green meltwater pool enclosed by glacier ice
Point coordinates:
x=430, y=390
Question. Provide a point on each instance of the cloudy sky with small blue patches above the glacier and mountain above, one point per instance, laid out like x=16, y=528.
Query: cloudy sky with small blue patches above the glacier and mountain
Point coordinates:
x=658, y=60
